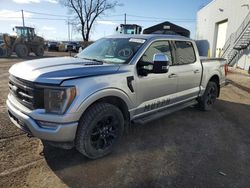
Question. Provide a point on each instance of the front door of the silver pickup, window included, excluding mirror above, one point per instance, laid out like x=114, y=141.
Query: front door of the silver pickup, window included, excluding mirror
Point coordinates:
x=155, y=91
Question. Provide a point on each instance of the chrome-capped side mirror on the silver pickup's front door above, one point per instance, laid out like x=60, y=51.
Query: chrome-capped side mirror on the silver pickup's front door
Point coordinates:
x=161, y=64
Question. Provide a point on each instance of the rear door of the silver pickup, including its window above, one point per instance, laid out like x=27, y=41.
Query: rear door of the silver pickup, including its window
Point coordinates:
x=188, y=70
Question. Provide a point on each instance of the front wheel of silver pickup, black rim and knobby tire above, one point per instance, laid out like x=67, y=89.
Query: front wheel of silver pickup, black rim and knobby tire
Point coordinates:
x=99, y=130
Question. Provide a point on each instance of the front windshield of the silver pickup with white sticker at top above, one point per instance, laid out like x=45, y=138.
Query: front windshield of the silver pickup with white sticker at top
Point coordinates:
x=112, y=50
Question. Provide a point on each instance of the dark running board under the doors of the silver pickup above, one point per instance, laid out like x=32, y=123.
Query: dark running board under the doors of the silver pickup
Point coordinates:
x=159, y=114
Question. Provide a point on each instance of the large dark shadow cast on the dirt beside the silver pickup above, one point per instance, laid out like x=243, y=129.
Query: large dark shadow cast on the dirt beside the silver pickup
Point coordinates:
x=184, y=149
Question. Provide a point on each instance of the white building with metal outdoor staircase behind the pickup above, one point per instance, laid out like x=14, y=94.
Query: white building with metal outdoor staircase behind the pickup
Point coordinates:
x=225, y=24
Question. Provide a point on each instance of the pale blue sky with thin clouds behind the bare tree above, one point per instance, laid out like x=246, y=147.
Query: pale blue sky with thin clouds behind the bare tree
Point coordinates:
x=142, y=12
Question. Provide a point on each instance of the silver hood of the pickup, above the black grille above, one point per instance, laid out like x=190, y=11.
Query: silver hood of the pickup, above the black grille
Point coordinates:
x=56, y=70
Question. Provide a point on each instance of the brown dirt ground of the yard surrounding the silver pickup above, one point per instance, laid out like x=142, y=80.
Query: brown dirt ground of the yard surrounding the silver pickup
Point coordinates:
x=189, y=148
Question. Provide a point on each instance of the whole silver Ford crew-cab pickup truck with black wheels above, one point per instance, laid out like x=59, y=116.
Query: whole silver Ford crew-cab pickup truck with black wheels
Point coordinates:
x=88, y=100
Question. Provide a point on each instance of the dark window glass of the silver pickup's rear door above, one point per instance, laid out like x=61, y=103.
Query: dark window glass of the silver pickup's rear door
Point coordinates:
x=184, y=53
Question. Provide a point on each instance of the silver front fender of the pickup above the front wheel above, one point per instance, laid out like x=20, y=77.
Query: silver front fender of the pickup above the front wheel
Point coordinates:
x=91, y=89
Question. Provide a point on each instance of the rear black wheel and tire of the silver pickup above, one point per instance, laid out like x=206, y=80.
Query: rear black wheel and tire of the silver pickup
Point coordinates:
x=207, y=100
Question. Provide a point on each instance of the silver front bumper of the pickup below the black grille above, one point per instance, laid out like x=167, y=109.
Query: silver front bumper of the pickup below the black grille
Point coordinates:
x=59, y=132
